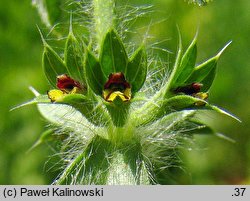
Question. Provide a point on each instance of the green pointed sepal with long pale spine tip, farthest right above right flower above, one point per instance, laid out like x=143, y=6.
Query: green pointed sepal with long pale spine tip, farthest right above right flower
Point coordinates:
x=205, y=72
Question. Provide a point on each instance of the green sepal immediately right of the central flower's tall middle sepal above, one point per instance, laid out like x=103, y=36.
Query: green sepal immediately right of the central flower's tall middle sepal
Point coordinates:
x=137, y=69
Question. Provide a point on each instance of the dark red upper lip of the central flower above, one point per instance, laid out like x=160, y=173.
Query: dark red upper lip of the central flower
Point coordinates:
x=116, y=80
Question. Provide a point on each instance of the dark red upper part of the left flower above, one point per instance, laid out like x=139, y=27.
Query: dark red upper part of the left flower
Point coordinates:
x=66, y=83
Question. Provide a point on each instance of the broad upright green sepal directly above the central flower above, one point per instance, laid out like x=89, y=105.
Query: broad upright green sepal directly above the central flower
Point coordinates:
x=113, y=57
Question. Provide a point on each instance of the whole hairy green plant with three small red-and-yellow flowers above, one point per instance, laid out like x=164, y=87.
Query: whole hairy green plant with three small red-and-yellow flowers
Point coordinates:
x=118, y=120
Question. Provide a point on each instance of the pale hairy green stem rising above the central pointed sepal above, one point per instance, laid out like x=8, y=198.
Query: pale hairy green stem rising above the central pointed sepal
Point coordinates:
x=104, y=17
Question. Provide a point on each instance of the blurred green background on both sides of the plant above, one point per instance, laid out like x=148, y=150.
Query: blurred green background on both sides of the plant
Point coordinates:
x=210, y=160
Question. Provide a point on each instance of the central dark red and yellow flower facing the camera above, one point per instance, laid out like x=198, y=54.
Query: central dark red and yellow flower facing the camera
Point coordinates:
x=115, y=87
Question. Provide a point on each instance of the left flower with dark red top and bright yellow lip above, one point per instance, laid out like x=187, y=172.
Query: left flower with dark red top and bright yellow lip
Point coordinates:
x=66, y=85
